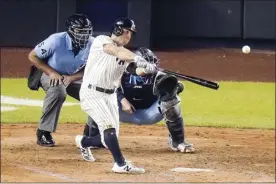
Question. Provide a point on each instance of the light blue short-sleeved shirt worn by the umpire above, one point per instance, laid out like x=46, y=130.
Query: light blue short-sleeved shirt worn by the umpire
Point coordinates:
x=57, y=51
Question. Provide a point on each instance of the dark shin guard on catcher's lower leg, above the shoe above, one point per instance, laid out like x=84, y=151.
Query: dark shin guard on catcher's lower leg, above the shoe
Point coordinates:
x=176, y=130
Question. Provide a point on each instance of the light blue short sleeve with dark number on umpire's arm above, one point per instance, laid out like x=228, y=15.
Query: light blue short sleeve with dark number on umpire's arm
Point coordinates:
x=46, y=48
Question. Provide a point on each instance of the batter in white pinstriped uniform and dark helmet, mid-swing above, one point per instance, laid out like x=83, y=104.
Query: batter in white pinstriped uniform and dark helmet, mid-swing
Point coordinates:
x=107, y=61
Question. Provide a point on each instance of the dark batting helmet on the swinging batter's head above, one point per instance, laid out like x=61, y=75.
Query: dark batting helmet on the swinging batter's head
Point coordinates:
x=123, y=23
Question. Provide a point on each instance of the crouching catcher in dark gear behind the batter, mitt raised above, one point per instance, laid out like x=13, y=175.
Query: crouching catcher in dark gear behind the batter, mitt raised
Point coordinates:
x=146, y=100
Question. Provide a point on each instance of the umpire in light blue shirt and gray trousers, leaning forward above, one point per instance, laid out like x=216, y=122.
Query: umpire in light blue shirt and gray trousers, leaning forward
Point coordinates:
x=59, y=62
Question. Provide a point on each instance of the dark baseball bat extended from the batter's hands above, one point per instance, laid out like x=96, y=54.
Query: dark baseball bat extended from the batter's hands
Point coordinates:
x=196, y=80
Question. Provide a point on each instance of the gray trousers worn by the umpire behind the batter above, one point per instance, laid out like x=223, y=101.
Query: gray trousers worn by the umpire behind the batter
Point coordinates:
x=55, y=97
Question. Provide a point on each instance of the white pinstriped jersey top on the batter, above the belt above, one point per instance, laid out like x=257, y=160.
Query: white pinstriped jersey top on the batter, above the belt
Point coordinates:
x=102, y=69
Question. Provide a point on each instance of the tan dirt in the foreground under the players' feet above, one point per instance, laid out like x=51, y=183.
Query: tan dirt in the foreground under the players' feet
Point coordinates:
x=231, y=155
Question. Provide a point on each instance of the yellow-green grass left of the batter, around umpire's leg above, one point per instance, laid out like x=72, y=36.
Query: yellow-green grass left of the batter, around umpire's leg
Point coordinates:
x=18, y=88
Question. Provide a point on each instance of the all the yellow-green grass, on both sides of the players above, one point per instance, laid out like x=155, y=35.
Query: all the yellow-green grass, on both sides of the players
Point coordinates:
x=235, y=104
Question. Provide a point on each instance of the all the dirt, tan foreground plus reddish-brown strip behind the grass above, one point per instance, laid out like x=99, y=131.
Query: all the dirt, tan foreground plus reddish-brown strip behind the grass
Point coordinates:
x=231, y=155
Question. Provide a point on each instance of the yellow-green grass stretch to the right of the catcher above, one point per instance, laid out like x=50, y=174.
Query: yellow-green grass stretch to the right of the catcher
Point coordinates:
x=235, y=104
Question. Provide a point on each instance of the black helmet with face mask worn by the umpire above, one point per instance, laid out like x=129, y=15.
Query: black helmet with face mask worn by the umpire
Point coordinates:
x=80, y=29
